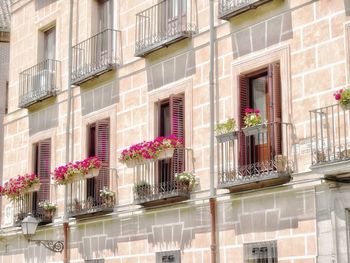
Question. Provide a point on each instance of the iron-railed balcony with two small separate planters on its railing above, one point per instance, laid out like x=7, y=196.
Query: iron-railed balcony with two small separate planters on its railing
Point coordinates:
x=256, y=157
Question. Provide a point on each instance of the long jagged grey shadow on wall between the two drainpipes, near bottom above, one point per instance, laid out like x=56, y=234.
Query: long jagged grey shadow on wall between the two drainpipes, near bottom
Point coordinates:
x=164, y=230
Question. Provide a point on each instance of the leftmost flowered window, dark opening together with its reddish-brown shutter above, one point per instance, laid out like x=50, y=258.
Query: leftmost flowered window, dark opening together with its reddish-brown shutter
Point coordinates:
x=42, y=167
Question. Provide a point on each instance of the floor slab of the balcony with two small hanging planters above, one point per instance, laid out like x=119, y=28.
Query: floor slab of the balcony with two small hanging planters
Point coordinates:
x=256, y=182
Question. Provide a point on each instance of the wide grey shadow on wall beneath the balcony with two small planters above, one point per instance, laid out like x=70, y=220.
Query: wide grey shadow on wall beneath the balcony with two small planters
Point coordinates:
x=267, y=214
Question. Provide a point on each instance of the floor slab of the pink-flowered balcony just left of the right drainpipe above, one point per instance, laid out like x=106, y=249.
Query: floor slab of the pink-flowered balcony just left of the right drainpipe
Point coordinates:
x=162, y=199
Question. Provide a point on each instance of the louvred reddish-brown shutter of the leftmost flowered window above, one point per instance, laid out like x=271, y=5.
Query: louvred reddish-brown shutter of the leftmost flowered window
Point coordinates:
x=44, y=167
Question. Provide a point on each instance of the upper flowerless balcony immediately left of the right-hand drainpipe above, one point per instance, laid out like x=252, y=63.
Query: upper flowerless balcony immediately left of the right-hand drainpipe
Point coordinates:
x=164, y=23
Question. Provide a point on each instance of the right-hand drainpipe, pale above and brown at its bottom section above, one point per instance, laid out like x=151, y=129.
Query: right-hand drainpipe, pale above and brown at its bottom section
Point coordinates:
x=212, y=199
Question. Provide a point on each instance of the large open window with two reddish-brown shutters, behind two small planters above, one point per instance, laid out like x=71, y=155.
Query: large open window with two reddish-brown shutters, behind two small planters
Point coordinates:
x=261, y=90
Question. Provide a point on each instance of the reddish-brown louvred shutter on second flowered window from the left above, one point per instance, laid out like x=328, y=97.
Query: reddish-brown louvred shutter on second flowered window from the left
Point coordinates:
x=102, y=152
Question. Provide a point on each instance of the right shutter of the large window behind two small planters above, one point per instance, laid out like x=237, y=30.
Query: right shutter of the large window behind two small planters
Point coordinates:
x=275, y=108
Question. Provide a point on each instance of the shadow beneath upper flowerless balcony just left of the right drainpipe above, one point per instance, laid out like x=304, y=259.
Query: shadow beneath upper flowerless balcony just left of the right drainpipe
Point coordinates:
x=173, y=69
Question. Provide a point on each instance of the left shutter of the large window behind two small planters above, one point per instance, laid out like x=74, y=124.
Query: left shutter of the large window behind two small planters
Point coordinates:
x=243, y=102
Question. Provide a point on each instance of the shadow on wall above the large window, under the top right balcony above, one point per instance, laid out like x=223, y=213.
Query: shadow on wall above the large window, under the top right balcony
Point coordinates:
x=261, y=35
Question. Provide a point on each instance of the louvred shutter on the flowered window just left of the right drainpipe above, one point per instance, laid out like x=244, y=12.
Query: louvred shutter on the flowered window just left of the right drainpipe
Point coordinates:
x=177, y=114
